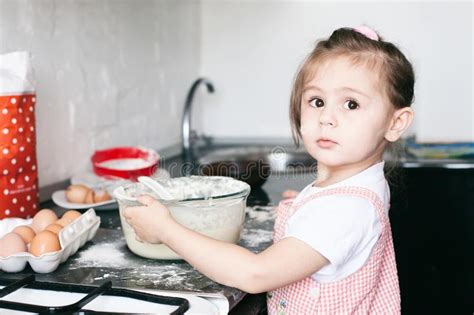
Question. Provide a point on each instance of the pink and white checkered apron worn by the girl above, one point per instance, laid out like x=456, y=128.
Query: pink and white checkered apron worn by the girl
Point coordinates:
x=373, y=289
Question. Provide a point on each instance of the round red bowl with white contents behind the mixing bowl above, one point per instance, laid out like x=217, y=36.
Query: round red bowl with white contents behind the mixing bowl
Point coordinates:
x=122, y=168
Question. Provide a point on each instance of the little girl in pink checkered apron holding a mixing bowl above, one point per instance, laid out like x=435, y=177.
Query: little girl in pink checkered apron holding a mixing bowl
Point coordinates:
x=333, y=249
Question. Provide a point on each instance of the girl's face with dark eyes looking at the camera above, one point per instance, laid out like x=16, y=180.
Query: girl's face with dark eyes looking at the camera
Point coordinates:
x=345, y=114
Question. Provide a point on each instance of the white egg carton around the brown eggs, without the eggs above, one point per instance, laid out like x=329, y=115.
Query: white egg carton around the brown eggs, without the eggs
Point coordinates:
x=71, y=237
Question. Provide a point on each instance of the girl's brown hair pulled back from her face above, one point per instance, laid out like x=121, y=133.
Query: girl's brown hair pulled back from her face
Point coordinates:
x=396, y=72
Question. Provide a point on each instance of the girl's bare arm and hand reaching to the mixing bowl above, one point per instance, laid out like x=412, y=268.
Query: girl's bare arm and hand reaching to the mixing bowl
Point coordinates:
x=287, y=261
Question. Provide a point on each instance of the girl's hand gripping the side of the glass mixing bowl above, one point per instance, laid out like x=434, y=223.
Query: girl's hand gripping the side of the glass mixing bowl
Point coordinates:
x=149, y=221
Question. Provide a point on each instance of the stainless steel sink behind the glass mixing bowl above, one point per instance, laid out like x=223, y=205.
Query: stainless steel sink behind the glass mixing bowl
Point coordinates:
x=254, y=164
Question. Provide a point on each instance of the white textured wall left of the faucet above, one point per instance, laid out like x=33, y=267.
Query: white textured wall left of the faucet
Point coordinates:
x=108, y=72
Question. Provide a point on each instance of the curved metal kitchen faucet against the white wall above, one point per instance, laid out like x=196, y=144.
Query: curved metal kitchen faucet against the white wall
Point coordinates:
x=186, y=123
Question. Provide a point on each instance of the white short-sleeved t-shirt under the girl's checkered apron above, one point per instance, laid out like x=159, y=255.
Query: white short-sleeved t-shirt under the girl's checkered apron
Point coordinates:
x=342, y=228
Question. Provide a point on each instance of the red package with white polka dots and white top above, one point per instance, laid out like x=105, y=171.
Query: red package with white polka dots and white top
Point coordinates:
x=18, y=164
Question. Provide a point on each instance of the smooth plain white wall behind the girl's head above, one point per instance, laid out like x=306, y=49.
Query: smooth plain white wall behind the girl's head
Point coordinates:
x=251, y=50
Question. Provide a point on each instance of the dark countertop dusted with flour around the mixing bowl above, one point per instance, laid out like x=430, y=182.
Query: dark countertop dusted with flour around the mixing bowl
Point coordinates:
x=127, y=270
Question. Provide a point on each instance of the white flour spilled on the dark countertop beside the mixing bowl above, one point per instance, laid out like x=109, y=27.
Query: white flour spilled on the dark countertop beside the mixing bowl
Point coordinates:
x=108, y=258
